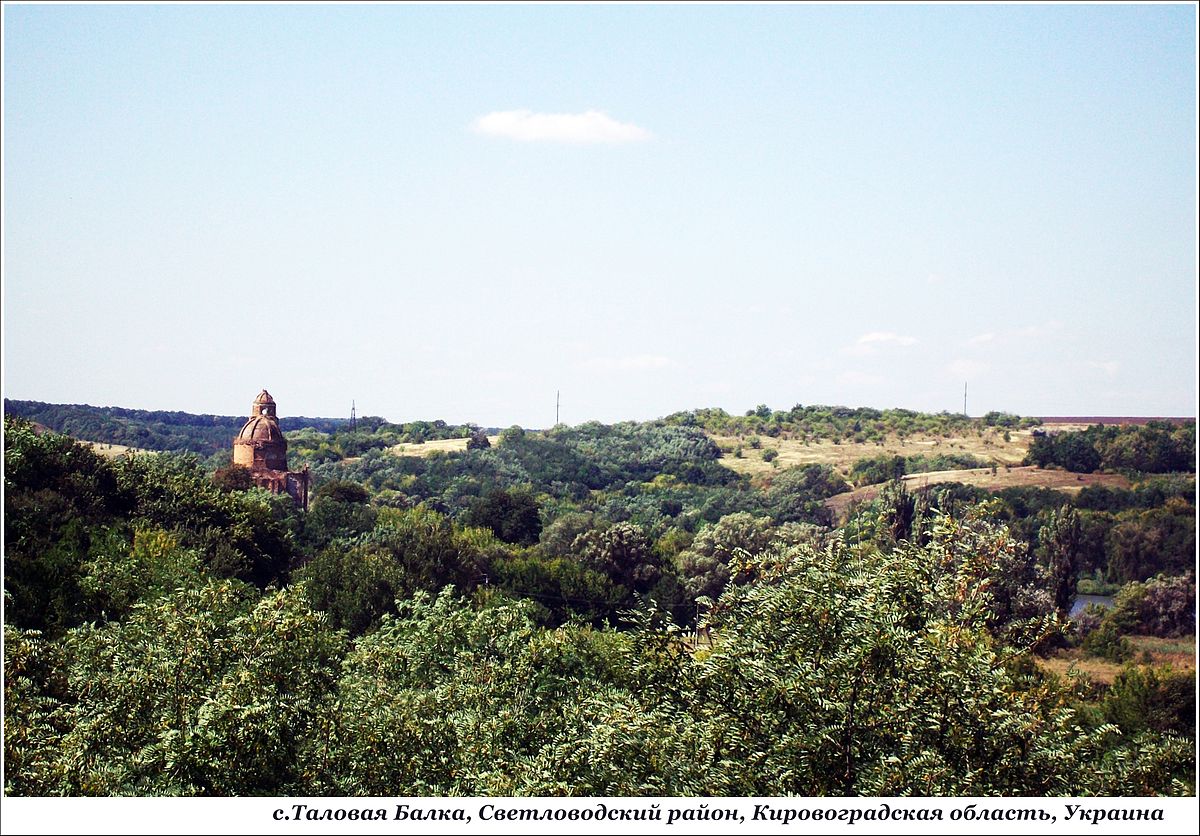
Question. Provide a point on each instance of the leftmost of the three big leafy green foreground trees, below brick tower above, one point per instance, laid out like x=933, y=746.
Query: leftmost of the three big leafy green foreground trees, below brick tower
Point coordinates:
x=207, y=693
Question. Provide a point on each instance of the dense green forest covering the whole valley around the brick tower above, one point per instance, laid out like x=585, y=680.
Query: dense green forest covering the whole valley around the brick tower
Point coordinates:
x=602, y=610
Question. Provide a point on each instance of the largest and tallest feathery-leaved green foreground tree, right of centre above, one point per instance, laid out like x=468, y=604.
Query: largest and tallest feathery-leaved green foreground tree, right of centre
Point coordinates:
x=899, y=688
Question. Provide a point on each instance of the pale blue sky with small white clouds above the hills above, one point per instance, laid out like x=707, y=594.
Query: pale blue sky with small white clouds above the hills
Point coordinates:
x=454, y=212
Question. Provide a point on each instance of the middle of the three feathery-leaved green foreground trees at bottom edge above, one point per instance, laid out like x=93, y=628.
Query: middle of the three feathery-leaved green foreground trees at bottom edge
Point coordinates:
x=445, y=700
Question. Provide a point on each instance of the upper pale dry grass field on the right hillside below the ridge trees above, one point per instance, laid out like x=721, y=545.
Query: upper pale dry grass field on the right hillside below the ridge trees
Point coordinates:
x=989, y=447
